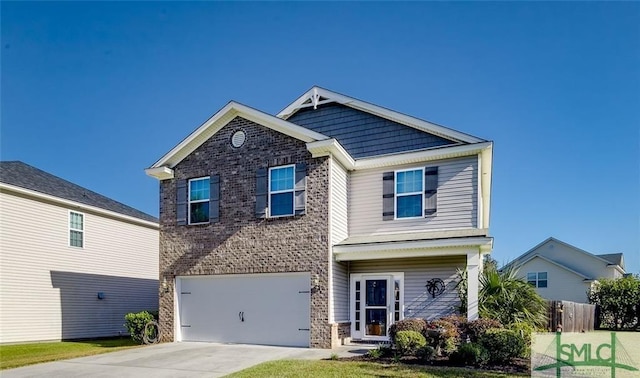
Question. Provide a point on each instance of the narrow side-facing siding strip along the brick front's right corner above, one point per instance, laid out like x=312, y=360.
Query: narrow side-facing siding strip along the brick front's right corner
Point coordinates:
x=339, y=231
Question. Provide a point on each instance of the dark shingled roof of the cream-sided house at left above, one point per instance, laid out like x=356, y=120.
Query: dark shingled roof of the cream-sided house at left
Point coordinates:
x=22, y=175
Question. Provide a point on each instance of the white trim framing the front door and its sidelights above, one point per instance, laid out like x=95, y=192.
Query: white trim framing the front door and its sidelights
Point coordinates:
x=396, y=276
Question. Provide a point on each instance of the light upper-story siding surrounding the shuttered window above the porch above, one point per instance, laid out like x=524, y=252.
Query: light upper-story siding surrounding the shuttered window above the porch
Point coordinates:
x=457, y=199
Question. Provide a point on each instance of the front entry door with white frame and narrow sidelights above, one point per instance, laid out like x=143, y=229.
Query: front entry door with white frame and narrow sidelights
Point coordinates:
x=376, y=303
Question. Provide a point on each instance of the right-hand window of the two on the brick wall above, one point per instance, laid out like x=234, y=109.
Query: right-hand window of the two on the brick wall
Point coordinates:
x=281, y=191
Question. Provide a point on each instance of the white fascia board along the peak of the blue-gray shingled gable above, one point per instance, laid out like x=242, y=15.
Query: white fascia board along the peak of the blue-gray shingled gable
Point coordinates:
x=404, y=119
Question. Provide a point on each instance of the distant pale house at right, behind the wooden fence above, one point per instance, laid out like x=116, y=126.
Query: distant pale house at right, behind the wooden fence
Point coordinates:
x=560, y=271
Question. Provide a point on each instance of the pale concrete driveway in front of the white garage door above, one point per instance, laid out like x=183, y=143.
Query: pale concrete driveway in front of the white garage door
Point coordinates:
x=176, y=360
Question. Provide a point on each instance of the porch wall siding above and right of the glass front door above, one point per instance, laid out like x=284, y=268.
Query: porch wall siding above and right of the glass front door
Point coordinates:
x=418, y=303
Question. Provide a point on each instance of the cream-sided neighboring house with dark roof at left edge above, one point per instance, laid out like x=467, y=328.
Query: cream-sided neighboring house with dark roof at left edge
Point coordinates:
x=72, y=262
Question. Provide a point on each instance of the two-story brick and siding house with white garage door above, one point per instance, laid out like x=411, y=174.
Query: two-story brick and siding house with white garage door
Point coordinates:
x=329, y=221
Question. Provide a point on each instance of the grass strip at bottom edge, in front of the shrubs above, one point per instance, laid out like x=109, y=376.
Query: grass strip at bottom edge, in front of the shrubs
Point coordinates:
x=326, y=368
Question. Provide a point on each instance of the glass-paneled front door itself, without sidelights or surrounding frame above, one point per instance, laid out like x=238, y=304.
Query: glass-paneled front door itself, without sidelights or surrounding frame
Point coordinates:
x=376, y=306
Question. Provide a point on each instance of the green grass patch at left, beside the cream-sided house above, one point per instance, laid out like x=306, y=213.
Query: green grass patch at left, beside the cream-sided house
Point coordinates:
x=16, y=355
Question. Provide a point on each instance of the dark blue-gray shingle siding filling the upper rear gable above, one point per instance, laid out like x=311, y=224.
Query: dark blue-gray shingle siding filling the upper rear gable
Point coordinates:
x=363, y=134
